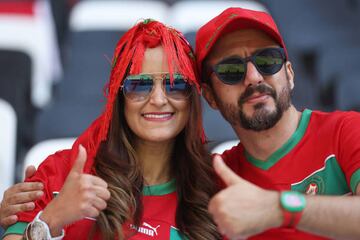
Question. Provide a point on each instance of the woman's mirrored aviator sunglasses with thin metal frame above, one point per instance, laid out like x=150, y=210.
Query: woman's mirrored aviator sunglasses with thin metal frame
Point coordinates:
x=139, y=87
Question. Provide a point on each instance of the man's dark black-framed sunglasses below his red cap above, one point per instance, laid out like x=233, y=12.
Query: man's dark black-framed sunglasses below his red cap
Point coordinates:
x=232, y=70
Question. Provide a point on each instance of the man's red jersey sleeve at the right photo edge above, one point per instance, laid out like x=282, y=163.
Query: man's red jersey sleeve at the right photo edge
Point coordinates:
x=349, y=149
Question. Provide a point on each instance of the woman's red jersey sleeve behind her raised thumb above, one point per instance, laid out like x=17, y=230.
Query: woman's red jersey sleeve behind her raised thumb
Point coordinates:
x=52, y=173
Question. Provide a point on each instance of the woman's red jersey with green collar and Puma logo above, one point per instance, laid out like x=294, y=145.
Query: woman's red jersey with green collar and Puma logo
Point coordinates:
x=159, y=201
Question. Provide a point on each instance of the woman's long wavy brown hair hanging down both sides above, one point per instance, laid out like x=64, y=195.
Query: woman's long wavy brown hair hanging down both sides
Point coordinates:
x=116, y=162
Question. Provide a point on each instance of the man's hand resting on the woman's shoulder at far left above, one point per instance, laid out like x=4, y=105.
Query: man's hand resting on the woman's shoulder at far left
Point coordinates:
x=20, y=197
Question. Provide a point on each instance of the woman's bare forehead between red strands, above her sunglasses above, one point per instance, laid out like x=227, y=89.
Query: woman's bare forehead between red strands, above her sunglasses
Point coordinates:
x=155, y=60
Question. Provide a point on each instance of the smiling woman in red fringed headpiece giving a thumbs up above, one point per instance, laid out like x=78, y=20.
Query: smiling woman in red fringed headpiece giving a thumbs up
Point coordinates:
x=140, y=171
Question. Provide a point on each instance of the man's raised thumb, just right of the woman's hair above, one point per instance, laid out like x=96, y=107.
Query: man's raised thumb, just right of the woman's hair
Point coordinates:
x=224, y=172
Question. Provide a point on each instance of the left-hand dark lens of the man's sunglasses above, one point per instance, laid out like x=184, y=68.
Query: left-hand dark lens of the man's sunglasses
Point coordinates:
x=230, y=71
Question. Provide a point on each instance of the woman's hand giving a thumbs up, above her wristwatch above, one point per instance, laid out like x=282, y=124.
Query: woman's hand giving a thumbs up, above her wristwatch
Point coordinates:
x=82, y=195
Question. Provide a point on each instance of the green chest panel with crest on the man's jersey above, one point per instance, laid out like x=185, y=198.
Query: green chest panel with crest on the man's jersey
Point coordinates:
x=329, y=180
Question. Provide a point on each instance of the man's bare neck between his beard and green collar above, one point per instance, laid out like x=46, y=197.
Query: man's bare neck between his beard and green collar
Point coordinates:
x=264, y=143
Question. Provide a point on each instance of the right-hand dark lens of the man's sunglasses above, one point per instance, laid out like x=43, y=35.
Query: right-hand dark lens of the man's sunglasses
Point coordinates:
x=269, y=61
